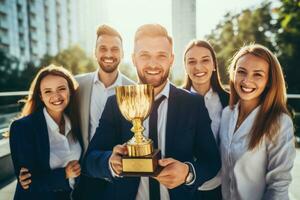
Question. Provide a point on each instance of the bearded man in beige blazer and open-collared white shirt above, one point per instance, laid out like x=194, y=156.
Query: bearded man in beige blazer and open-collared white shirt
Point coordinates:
x=96, y=87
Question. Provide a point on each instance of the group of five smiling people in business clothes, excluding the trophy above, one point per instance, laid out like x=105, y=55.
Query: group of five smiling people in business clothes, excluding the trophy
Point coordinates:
x=215, y=144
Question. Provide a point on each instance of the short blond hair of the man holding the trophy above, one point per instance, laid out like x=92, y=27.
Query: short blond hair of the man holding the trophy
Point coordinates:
x=152, y=30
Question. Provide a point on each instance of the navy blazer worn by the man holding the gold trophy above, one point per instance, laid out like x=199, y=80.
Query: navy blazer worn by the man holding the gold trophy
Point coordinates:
x=188, y=138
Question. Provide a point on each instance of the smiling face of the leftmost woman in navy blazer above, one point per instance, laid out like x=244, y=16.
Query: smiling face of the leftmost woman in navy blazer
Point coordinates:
x=55, y=93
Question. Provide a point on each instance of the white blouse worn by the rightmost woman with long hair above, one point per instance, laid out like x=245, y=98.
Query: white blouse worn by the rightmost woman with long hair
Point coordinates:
x=263, y=173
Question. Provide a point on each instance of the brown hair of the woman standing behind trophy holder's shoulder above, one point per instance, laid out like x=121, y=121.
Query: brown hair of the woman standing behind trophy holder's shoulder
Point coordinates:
x=215, y=77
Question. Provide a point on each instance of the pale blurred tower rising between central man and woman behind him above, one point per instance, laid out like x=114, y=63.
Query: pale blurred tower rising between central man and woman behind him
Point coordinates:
x=183, y=30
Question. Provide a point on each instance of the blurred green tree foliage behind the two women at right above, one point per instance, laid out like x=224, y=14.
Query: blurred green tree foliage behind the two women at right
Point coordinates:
x=277, y=28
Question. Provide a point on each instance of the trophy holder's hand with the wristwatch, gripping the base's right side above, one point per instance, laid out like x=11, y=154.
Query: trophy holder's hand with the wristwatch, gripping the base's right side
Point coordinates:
x=173, y=174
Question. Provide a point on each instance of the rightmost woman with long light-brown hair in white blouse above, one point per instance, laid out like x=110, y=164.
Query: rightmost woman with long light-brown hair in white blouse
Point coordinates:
x=256, y=131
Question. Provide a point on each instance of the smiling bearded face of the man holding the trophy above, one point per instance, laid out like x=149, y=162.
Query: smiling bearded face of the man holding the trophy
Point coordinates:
x=153, y=58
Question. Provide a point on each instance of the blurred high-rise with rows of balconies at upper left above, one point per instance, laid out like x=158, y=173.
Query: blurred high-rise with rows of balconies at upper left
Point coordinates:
x=29, y=29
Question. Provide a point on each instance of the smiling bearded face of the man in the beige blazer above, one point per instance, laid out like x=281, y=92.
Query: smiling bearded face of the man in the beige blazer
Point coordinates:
x=109, y=52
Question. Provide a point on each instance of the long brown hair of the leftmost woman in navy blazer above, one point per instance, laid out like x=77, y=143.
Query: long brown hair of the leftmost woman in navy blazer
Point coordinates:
x=34, y=103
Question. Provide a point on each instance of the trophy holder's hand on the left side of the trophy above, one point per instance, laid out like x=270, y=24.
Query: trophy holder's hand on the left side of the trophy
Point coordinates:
x=115, y=159
